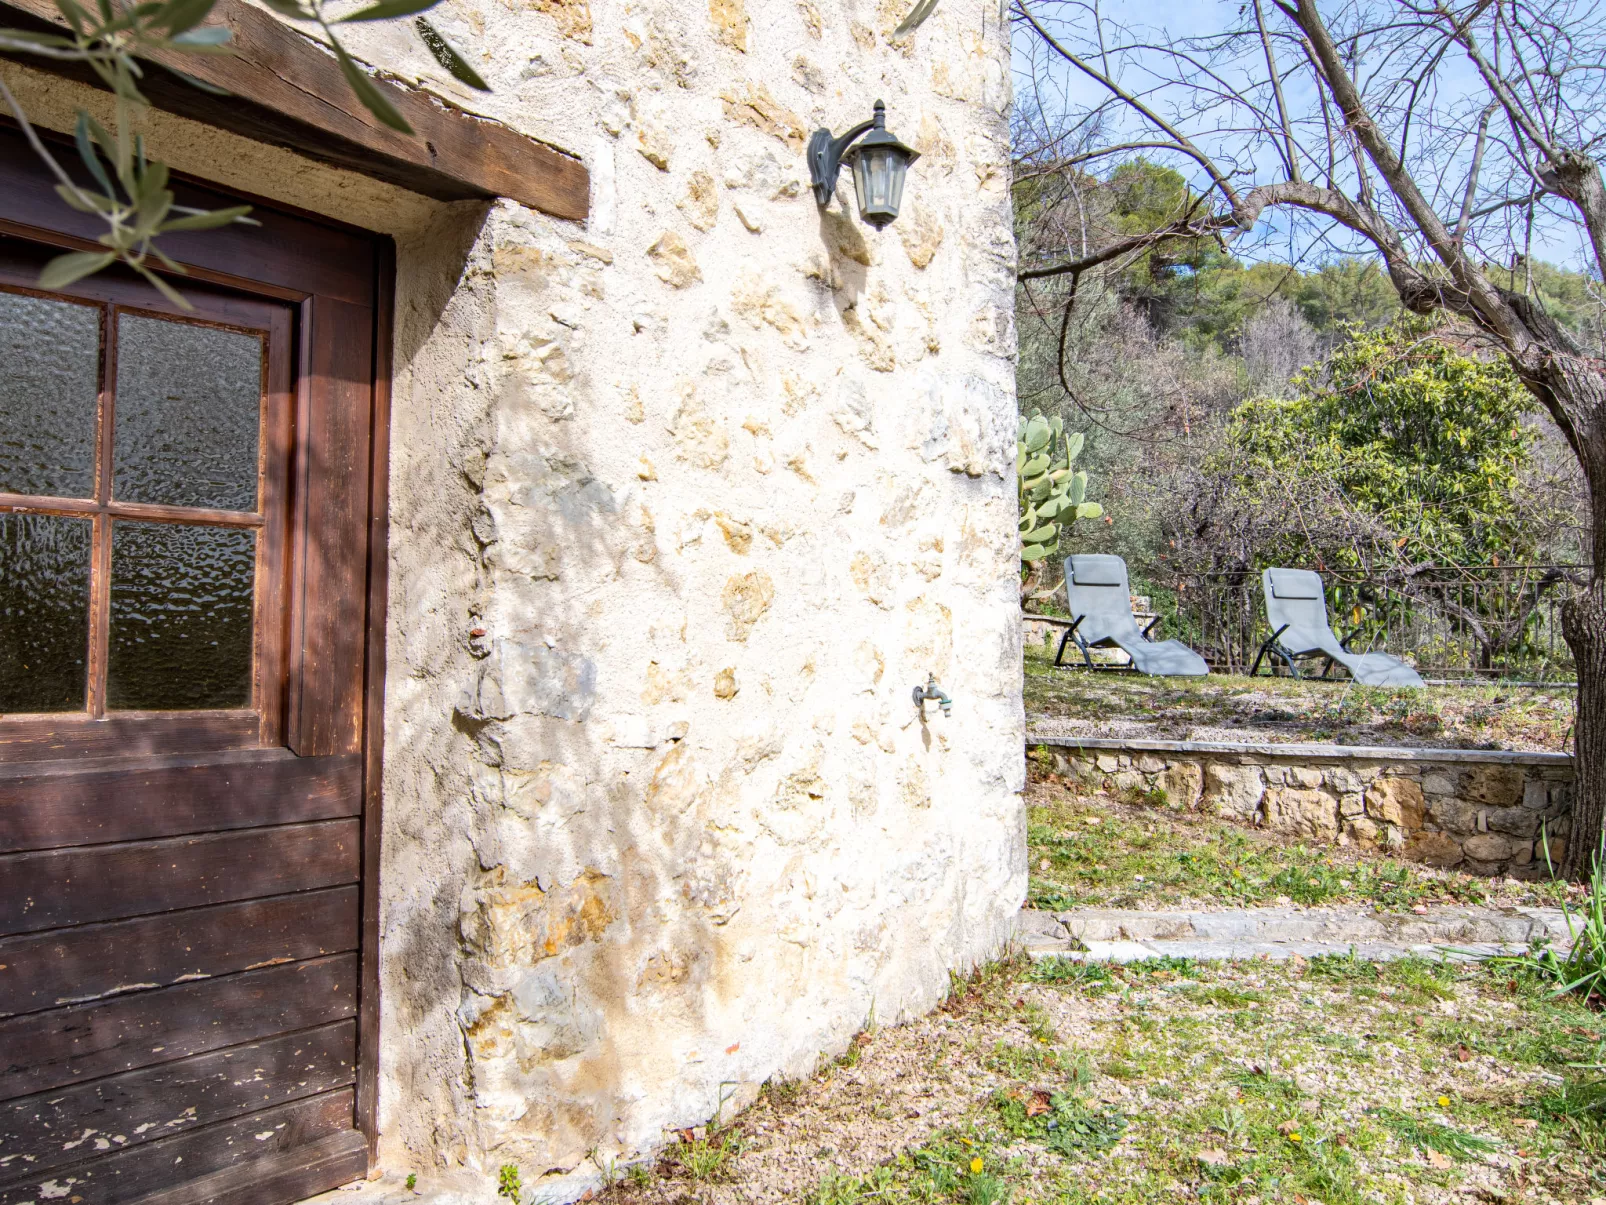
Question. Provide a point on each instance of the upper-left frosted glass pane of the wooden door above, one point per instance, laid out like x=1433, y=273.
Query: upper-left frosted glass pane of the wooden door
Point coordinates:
x=49, y=388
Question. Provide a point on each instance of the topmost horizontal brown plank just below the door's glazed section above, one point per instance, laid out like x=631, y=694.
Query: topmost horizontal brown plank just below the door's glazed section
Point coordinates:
x=49, y=806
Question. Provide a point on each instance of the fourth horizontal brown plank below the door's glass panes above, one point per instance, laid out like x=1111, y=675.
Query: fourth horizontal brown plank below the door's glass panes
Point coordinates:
x=65, y=1047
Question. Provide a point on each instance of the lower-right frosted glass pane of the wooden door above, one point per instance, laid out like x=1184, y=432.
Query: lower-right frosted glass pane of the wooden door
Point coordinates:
x=181, y=618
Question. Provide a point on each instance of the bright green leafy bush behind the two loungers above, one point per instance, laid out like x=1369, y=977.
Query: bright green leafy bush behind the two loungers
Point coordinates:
x=1412, y=431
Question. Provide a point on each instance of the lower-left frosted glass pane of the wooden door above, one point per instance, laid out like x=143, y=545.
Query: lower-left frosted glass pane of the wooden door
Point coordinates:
x=44, y=613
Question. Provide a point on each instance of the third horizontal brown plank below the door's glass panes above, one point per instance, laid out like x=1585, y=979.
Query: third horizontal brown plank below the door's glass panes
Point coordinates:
x=75, y=966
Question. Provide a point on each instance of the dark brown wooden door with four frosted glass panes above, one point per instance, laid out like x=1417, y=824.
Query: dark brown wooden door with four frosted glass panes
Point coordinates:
x=189, y=521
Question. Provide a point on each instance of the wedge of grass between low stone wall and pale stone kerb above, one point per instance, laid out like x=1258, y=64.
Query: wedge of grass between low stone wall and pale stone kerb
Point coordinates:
x=1088, y=849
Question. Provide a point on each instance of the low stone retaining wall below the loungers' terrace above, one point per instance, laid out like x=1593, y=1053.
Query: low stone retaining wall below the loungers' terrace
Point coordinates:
x=1478, y=811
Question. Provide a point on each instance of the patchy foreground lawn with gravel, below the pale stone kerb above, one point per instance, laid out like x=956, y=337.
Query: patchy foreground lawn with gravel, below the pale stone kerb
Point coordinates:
x=1061, y=1084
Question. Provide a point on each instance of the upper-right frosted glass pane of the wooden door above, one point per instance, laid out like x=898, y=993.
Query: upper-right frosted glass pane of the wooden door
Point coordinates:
x=189, y=415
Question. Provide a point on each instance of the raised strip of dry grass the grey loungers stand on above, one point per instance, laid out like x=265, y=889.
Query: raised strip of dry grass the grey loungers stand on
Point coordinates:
x=1223, y=708
